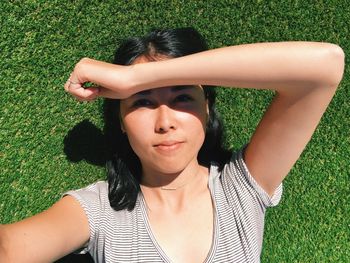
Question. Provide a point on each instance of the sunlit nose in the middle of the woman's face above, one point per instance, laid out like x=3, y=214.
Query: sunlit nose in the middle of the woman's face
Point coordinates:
x=165, y=120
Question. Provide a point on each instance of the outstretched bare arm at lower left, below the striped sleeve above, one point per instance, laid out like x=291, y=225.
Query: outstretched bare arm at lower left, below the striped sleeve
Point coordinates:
x=45, y=237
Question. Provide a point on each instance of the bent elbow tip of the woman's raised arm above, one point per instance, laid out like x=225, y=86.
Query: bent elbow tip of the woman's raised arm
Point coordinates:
x=335, y=63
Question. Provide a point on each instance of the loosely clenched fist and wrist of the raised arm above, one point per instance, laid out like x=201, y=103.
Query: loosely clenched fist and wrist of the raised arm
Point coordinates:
x=109, y=80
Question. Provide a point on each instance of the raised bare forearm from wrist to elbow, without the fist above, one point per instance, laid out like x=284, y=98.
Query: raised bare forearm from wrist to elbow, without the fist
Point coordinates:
x=279, y=66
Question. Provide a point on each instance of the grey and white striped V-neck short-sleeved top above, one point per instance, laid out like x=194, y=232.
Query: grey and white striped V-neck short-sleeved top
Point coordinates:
x=126, y=236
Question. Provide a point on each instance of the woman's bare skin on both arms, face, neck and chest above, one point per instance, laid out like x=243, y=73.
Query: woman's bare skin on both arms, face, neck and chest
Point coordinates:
x=304, y=76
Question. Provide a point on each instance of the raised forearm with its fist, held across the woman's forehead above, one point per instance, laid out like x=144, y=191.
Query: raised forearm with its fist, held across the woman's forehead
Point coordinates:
x=286, y=67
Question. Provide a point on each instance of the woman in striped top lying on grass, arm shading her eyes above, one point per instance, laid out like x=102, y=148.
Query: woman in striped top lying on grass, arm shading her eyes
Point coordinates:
x=173, y=193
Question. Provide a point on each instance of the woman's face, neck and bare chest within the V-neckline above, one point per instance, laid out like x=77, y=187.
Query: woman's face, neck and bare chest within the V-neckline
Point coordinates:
x=173, y=121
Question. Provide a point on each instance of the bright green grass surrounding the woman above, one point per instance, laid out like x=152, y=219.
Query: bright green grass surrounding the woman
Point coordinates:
x=42, y=40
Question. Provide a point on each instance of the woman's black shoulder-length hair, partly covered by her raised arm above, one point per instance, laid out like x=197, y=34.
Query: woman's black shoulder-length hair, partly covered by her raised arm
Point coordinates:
x=123, y=165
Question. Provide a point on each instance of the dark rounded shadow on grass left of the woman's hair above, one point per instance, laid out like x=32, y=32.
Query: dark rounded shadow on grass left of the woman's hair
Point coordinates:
x=85, y=142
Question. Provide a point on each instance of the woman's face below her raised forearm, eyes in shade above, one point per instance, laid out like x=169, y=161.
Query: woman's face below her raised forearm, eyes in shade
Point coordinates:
x=165, y=126
